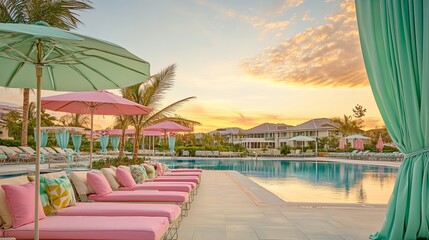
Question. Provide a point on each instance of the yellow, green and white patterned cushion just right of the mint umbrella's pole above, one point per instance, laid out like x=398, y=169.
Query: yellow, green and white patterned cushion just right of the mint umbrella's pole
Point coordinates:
x=60, y=192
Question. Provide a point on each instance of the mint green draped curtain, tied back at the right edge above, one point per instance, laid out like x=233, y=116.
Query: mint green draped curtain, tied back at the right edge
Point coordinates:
x=394, y=36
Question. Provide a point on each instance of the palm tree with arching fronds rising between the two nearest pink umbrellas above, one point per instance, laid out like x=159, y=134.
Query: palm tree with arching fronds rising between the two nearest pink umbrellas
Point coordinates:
x=151, y=93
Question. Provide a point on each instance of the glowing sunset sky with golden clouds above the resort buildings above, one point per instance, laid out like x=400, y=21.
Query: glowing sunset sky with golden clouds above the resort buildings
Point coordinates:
x=247, y=61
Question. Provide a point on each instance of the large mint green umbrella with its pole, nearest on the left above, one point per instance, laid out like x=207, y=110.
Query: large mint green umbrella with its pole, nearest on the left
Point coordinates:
x=42, y=57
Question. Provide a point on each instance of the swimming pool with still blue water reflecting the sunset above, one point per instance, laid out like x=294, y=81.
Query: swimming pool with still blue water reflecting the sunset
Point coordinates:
x=309, y=181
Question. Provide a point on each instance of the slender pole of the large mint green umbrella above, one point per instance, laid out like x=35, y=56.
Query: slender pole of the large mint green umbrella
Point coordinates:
x=37, y=171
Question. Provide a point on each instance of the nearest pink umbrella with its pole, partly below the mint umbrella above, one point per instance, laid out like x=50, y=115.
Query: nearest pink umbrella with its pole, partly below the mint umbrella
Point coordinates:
x=98, y=102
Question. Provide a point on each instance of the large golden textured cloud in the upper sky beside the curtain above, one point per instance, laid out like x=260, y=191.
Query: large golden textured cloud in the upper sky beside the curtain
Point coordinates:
x=326, y=55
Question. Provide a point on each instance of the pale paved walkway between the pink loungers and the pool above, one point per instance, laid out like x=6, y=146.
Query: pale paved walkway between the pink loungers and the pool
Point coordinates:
x=230, y=206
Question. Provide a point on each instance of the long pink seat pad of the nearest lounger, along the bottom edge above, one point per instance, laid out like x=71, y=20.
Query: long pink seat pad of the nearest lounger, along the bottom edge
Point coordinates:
x=93, y=227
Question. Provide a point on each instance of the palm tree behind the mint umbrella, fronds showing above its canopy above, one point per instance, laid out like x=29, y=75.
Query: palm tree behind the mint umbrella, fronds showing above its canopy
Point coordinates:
x=60, y=14
